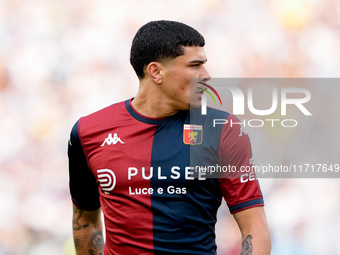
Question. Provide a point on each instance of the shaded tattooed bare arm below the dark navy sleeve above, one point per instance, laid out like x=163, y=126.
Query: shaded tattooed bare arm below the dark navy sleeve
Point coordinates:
x=87, y=232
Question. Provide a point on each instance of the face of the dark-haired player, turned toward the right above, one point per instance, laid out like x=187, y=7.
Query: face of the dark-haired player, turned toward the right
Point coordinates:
x=177, y=75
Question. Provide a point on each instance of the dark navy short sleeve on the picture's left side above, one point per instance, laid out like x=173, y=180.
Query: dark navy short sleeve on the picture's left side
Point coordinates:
x=83, y=185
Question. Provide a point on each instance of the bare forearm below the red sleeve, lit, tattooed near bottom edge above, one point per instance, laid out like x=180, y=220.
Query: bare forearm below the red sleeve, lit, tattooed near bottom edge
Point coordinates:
x=255, y=231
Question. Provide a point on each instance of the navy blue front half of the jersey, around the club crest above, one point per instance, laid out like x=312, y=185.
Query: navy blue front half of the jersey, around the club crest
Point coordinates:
x=183, y=223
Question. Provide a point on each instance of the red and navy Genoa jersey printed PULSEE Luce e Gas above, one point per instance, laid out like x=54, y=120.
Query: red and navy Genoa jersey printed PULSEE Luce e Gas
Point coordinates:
x=160, y=182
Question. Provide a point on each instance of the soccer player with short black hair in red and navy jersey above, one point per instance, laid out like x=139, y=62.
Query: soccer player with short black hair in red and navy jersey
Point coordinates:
x=135, y=160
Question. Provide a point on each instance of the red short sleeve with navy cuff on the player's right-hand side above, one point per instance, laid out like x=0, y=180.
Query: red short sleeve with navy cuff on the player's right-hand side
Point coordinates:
x=239, y=186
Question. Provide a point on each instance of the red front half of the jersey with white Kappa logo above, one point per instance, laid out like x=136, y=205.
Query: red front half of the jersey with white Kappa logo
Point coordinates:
x=112, y=139
